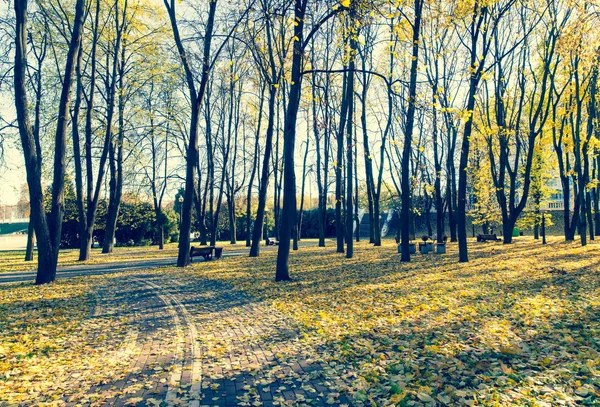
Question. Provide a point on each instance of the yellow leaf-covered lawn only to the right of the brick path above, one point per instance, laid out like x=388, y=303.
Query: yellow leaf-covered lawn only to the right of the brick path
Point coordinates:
x=518, y=325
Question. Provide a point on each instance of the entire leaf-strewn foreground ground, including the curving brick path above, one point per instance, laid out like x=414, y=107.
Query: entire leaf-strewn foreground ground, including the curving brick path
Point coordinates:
x=518, y=325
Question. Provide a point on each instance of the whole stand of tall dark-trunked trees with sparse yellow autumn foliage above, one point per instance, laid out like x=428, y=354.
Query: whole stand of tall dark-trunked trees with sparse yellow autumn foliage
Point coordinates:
x=455, y=107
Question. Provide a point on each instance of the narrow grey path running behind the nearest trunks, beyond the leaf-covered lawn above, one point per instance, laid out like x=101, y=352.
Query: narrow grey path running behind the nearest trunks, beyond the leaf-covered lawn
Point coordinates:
x=103, y=268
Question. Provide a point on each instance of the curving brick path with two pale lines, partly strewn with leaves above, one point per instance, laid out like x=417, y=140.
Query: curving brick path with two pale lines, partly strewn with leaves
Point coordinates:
x=201, y=343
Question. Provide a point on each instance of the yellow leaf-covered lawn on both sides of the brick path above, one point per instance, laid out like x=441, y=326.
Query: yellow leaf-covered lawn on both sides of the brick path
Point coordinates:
x=518, y=325
